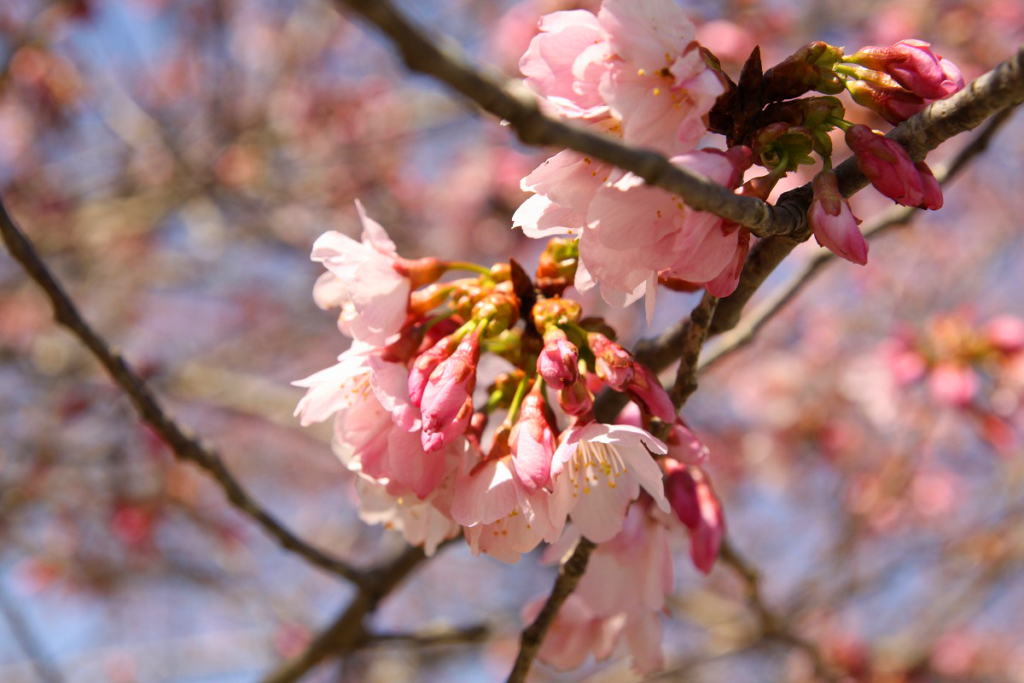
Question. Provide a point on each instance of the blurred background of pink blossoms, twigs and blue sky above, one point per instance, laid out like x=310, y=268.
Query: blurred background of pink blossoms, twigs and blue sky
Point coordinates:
x=175, y=160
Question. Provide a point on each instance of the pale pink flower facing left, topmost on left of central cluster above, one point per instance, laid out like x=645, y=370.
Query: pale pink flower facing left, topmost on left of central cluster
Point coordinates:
x=363, y=280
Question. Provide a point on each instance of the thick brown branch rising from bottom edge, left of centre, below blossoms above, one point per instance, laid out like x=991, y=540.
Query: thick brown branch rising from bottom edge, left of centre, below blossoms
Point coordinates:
x=349, y=632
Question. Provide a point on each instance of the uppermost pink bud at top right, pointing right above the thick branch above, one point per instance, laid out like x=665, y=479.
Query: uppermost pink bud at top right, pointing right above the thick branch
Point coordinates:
x=912, y=64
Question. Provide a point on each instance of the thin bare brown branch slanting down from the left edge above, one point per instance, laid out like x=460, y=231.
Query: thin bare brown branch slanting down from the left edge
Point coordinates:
x=186, y=447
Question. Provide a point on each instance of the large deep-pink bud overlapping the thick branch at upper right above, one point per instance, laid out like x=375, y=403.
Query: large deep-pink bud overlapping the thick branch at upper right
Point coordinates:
x=887, y=165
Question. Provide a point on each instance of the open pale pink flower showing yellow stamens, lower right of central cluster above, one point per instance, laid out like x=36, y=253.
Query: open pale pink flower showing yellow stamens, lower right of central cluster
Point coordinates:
x=598, y=471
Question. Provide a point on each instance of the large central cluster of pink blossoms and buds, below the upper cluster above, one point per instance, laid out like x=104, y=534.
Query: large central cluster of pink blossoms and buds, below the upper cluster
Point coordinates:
x=408, y=421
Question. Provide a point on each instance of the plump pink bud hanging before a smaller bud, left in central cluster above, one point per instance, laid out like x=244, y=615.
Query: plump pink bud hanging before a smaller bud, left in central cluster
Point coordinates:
x=448, y=400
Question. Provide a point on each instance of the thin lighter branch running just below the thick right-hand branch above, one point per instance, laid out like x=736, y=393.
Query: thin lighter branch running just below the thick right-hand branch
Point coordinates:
x=751, y=325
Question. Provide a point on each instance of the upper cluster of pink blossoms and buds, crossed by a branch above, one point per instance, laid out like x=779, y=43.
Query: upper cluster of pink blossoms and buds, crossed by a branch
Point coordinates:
x=636, y=72
